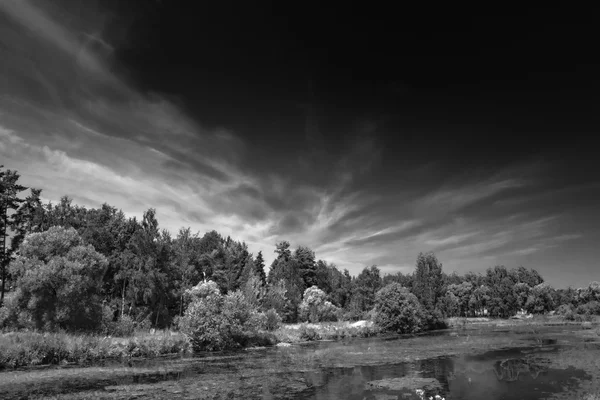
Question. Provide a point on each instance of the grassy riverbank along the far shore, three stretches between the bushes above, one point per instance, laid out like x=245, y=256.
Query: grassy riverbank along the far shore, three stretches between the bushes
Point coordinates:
x=26, y=349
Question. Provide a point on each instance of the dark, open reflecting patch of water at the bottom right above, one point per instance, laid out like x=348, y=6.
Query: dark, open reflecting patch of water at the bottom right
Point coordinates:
x=512, y=378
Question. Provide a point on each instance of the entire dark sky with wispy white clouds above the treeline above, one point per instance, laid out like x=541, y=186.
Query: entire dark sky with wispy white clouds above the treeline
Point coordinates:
x=369, y=135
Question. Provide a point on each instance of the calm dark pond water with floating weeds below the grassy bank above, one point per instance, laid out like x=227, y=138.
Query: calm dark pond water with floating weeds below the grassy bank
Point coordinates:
x=475, y=365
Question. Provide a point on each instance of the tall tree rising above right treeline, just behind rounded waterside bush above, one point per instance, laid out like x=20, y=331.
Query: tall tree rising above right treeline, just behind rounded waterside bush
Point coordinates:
x=428, y=283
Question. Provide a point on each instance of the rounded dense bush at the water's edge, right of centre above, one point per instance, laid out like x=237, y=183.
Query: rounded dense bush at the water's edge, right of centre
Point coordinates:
x=398, y=310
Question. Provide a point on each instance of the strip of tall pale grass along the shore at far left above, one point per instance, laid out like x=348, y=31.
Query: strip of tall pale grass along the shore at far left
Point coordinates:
x=19, y=349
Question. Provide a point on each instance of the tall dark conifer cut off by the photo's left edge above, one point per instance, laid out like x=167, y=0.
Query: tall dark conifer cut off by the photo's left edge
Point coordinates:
x=9, y=204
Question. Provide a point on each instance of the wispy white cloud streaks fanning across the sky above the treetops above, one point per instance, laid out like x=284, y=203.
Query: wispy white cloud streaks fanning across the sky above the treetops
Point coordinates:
x=71, y=124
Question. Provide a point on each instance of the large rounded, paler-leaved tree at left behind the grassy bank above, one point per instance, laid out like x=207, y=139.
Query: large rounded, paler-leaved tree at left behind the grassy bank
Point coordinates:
x=58, y=280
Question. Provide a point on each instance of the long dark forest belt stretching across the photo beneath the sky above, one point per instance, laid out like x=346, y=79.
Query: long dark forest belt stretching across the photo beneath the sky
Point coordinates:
x=64, y=266
